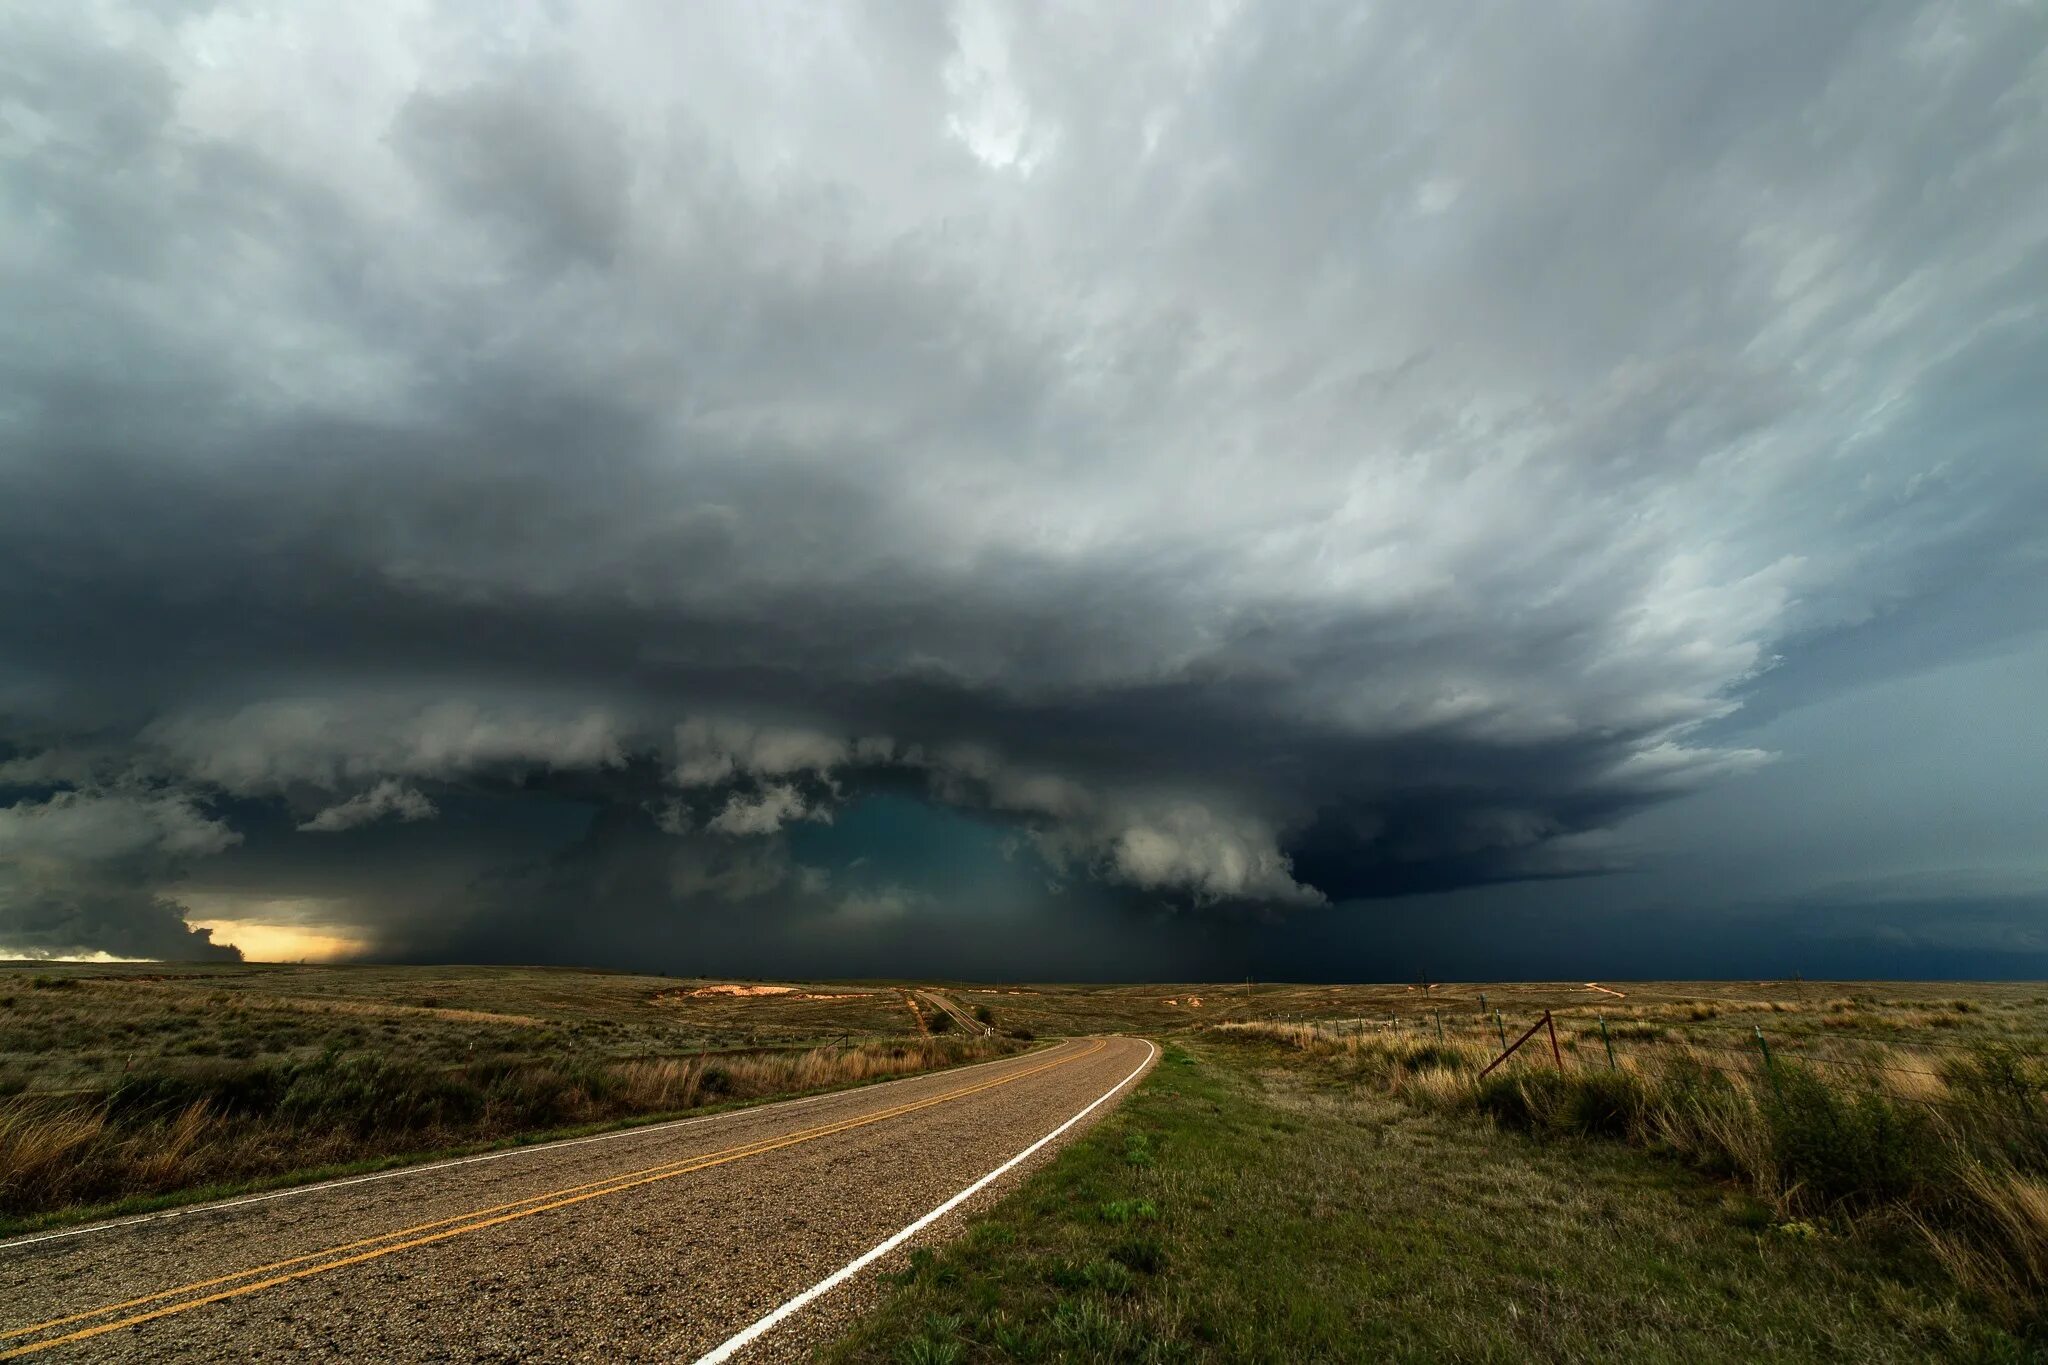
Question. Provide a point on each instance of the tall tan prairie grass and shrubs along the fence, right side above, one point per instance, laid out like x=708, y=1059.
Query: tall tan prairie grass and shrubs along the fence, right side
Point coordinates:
x=1949, y=1147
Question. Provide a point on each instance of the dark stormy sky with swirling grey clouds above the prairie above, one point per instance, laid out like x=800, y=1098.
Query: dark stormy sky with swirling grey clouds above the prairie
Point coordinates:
x=1308, y=490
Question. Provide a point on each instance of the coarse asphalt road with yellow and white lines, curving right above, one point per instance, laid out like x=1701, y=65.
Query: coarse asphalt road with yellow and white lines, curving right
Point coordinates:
x=658, y=1243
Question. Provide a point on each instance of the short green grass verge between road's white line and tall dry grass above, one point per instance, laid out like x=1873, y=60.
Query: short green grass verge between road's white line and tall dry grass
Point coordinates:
x=1238, y=1206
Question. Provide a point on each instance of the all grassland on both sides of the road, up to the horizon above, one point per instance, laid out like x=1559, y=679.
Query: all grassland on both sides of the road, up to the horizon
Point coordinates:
x=1717, y=1172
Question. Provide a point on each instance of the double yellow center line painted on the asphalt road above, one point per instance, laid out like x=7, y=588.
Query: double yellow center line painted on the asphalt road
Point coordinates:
x=476, y=1221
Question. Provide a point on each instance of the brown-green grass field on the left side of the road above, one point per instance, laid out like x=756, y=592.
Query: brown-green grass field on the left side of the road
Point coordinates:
x=126, y=1086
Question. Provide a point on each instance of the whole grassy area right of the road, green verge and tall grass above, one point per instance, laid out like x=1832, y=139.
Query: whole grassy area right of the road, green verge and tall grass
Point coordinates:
x=1334, y=1182
